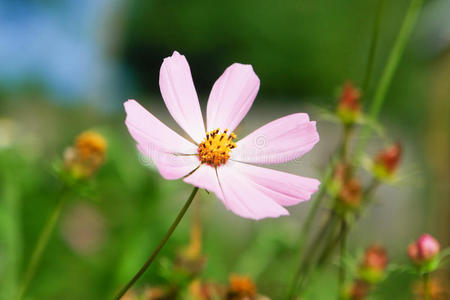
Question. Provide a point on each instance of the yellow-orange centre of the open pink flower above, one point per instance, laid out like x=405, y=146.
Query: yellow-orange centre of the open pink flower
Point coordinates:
x=216, y=147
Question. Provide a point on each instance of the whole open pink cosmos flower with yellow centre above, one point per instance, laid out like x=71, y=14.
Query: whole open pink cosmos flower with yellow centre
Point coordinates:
x=212, y=160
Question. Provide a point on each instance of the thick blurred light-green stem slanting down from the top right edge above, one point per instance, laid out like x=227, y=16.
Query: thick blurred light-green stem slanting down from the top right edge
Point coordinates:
x=389, y=70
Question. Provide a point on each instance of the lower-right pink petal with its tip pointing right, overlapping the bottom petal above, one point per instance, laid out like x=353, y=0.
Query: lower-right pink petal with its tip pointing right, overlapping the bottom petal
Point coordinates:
x=284, y=188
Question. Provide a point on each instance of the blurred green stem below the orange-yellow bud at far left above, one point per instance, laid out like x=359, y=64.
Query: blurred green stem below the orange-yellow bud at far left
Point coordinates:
x=41, y=245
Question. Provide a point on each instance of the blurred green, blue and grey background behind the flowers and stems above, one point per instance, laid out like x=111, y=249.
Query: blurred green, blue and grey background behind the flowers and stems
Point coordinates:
x=68, y=66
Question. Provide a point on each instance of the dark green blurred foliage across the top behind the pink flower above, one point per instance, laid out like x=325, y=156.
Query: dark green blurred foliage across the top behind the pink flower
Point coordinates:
x=303, y=49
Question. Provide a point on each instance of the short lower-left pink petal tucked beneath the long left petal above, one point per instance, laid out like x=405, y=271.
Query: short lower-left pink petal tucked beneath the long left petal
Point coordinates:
x=170, y=166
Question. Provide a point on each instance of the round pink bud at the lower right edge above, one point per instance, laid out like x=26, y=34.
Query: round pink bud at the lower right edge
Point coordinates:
x=425, y=249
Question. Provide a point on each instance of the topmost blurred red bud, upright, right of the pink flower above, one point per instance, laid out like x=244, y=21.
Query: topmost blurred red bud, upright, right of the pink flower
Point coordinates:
x=349, y=106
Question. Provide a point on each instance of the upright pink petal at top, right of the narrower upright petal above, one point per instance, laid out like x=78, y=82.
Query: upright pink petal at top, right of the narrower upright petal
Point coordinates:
x=231, y=97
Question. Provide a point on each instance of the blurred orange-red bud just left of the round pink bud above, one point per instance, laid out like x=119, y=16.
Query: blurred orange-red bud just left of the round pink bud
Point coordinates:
x=374, y=264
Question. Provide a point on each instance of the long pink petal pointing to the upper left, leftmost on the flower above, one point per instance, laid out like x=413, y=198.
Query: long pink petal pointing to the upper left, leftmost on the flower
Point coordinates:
x=148, y=130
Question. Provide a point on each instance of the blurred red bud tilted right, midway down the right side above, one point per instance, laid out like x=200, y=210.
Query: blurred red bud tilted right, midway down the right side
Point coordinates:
x=386, y=161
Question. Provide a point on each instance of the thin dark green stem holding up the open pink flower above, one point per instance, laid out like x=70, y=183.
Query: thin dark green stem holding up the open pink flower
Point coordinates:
x=160, y=245
